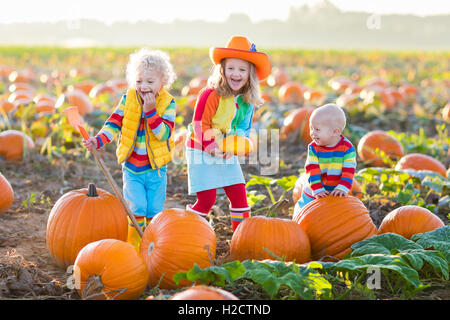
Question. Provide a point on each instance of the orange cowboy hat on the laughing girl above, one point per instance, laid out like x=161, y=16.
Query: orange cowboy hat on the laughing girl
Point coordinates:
x=240, y=47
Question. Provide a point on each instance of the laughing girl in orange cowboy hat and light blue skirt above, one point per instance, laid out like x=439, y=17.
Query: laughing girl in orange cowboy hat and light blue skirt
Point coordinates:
x=225, y=106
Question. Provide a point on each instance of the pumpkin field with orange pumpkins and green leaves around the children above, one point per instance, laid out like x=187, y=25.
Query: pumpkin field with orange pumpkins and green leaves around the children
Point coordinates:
x=63, y=232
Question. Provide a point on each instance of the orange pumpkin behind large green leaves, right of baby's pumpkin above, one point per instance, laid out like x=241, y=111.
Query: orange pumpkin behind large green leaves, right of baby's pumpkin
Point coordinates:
x=409, y=220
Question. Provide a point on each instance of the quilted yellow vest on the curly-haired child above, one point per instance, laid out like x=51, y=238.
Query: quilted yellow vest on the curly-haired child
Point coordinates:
x=159, y=152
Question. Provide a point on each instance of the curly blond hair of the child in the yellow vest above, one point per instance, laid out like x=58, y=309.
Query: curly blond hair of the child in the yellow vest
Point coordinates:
x=146, y=59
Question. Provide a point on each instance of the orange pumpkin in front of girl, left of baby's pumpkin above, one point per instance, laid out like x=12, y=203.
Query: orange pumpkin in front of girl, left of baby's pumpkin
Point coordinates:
x=257, y=235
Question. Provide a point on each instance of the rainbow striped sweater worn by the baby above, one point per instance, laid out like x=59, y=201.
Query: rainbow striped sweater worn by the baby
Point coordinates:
x=328, y=168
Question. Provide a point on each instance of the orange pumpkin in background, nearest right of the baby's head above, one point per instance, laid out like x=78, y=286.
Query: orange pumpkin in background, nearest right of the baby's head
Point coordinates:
x=382, y=141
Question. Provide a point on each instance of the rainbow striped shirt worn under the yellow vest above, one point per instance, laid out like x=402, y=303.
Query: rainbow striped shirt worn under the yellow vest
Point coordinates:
x=162, y=127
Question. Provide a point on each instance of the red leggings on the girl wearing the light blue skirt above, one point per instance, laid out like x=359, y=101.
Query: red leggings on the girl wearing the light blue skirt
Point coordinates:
x=235, y=193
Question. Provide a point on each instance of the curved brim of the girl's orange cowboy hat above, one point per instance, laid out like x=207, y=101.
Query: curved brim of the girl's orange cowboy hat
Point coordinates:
x=259, y=59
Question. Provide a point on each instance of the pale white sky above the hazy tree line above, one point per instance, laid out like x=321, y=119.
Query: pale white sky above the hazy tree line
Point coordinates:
x=110, y=11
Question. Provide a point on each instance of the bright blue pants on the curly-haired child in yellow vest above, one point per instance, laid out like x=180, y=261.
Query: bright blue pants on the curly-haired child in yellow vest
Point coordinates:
x=145, y=193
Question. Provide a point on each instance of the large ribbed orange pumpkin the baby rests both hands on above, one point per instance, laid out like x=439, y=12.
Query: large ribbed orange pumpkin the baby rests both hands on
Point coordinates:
x=333, y=224
